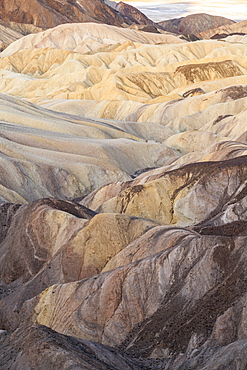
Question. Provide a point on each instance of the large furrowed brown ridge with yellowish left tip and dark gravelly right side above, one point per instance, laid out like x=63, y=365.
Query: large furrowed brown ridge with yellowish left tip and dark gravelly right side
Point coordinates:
x=183, y=288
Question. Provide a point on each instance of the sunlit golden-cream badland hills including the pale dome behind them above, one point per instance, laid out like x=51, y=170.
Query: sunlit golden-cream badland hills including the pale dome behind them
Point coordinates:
x=125, y=61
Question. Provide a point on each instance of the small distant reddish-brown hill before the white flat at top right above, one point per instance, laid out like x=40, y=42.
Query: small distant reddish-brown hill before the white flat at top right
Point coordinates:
x=195, y=24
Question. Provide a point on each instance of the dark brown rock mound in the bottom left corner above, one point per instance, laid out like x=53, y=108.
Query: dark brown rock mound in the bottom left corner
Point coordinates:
x=41, y=348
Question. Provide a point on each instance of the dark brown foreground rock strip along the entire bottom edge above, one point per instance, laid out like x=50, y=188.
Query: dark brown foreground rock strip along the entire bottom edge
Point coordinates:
x=42, y=348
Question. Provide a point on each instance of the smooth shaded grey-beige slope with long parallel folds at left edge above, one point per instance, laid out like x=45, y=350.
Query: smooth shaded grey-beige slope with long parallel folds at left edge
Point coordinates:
x=42, y=149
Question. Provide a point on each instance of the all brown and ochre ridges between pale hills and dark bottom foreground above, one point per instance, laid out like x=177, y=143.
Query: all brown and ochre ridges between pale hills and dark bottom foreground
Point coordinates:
x=169, y=281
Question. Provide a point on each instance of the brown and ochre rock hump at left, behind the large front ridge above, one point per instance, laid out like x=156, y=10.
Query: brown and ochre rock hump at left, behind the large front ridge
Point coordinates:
x=60, y=242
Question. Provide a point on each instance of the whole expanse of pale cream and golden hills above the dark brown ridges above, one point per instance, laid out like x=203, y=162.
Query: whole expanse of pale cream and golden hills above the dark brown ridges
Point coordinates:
x=165, y=101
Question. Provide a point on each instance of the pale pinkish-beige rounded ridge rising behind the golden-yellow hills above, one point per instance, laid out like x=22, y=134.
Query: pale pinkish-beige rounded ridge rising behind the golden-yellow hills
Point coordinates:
x=74, y=36
